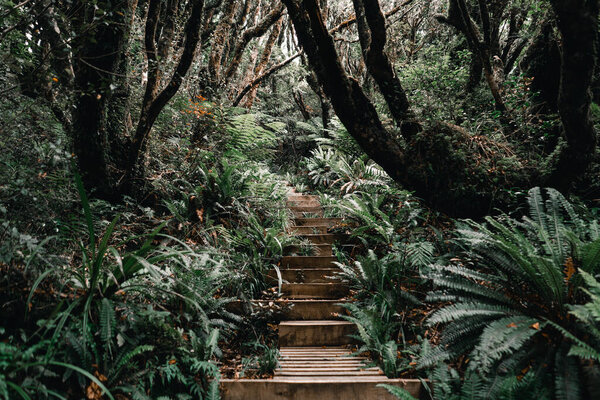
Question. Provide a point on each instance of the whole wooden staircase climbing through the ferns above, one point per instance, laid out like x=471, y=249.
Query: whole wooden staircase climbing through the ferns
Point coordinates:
x=315, y=356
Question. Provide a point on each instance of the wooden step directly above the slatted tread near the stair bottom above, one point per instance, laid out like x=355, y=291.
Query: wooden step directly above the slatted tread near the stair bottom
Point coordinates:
x=315, y=333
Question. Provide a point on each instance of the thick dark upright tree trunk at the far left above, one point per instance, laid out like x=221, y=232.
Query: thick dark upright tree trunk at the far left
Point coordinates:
x=98, y=56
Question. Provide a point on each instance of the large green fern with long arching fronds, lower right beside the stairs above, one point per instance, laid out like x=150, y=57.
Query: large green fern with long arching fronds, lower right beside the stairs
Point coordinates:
x=507, y=302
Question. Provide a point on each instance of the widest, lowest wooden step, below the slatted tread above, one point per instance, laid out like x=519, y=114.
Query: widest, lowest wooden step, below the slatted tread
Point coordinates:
x=316, y=388
